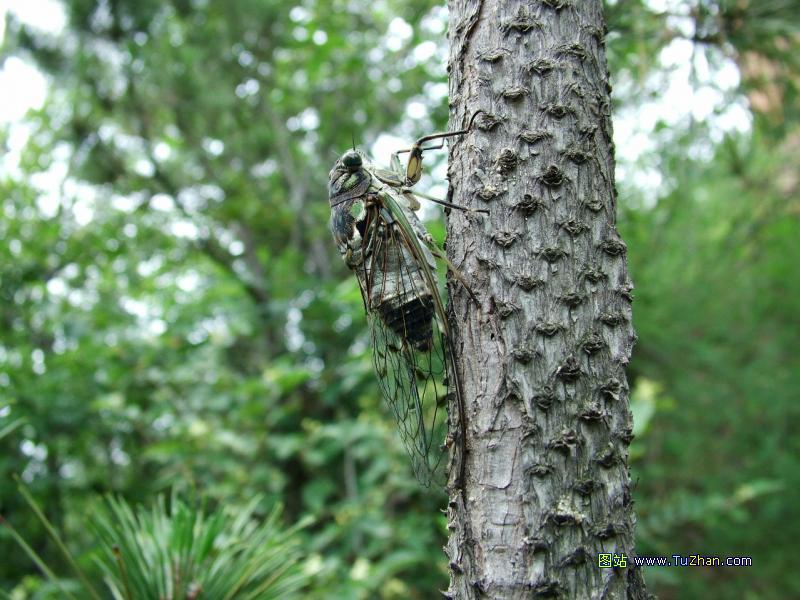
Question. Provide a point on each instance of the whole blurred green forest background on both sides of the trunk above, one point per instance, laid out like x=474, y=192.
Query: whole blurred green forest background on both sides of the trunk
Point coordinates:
x=175, y=316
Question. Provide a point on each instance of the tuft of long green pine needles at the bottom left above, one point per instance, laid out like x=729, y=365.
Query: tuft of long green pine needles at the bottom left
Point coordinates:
x=179, y=551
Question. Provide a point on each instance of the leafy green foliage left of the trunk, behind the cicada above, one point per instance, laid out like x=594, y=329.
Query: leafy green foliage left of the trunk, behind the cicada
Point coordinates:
x=175, y=315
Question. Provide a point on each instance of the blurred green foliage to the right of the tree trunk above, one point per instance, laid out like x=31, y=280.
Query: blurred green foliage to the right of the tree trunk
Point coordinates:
x=715, y=373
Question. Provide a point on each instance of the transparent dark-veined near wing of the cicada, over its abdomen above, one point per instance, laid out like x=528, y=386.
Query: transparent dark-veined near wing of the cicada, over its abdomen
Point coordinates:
x=409, y=346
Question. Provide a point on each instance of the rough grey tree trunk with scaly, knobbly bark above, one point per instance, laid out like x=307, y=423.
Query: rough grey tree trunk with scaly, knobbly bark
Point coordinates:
x=543, y=358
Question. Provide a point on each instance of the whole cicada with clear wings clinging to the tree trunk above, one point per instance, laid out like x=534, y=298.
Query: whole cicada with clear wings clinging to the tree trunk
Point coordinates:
x=381, y=239
